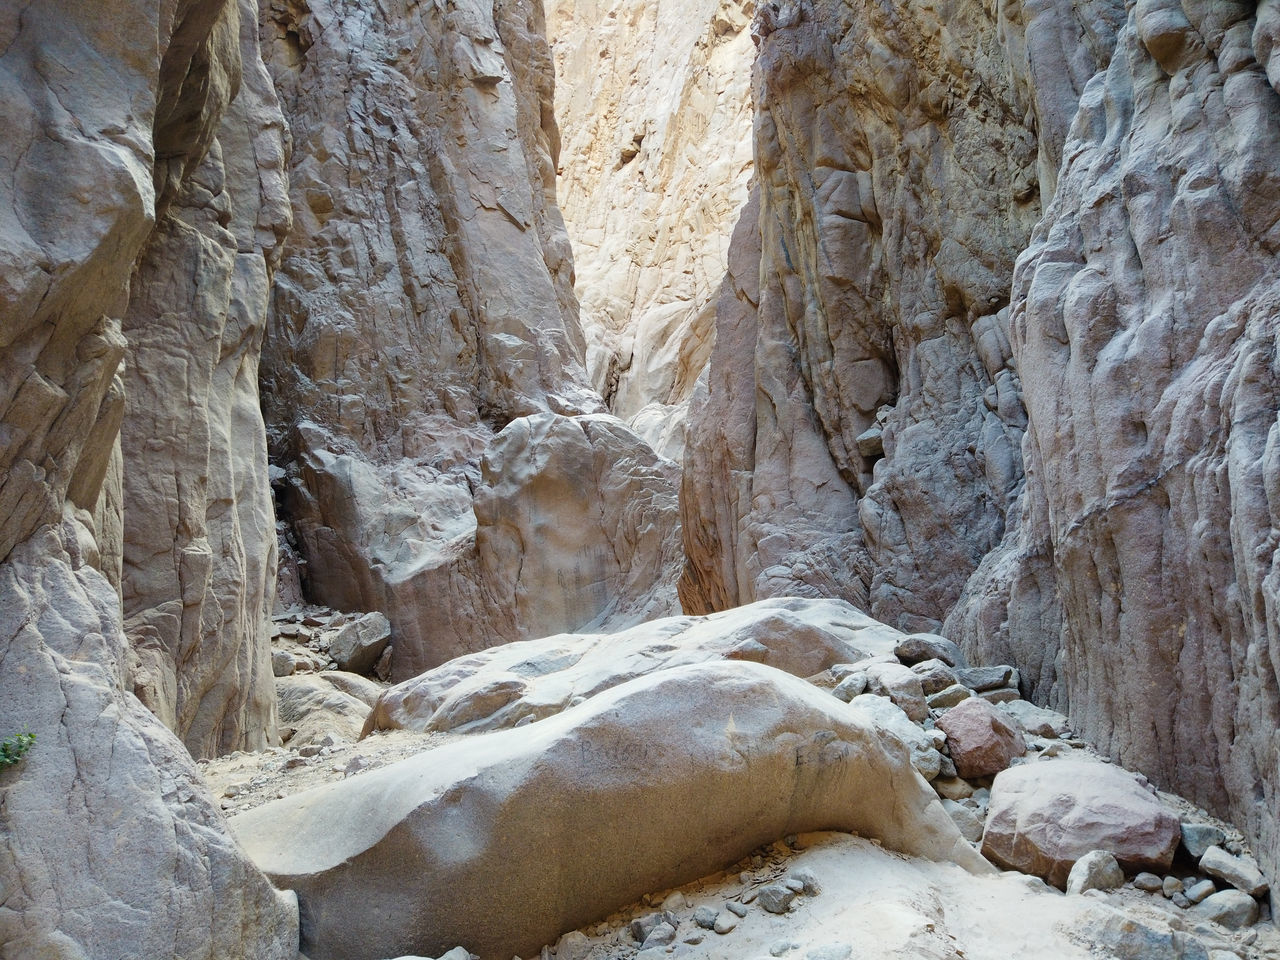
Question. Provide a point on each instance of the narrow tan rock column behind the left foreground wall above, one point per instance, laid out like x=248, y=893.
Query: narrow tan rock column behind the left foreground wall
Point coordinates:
x=199, y=552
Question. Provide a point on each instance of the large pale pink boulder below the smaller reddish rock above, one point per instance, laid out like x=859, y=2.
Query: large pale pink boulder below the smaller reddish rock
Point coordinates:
x=1046, y=816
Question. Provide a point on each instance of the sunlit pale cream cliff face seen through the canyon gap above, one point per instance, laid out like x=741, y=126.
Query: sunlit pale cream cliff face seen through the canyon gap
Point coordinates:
x=655, y=103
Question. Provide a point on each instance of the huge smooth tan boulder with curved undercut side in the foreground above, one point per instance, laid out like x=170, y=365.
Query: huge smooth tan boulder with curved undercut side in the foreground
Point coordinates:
x=646, y=787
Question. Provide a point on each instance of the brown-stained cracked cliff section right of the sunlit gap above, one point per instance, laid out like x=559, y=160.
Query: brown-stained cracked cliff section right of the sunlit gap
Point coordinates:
x=872, y=447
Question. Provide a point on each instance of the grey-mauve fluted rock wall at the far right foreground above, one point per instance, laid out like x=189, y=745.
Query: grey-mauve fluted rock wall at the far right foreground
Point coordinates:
x=1146, y=313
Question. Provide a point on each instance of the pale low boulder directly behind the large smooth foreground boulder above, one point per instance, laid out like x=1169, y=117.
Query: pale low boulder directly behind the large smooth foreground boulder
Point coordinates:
x=501, y=687
